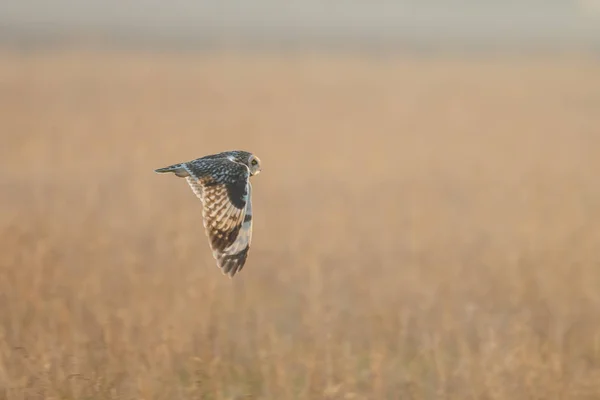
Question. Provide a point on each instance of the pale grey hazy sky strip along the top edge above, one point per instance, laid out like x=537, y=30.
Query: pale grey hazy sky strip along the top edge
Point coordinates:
x=549, y=20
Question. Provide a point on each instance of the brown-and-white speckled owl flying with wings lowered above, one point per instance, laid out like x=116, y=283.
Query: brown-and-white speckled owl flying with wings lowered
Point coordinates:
x=222, y=182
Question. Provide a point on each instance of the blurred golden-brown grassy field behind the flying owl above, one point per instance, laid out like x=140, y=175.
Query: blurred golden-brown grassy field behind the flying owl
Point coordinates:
x=423, y=229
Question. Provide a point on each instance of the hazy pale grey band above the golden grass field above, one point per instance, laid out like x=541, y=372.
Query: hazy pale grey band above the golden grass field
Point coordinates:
x=392, y=25
